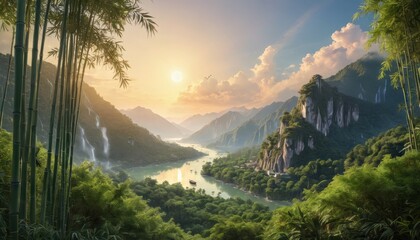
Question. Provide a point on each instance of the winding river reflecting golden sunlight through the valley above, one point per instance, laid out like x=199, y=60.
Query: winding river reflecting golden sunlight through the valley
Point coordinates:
x=184, y=171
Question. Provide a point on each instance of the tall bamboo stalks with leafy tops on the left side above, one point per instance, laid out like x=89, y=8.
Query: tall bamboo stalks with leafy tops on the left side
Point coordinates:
x=86, y=31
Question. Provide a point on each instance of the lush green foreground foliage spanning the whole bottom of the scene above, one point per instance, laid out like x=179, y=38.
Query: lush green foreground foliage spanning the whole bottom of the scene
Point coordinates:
x=355, y=205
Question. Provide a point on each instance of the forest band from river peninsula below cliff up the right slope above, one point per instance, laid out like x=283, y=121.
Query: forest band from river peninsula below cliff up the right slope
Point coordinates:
x=239, y=168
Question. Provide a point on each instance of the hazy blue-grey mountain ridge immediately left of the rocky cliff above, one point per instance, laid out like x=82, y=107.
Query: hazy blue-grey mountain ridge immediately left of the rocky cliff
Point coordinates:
x=255, y=130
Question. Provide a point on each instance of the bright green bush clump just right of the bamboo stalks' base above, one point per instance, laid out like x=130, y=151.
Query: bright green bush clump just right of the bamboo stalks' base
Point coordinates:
x=97, y=202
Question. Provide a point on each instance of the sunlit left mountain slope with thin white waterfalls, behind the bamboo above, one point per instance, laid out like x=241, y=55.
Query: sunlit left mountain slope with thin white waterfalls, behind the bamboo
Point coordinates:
x=103, y=133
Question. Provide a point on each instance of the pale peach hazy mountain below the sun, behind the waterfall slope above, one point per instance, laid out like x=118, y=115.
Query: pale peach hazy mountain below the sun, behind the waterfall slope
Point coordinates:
x=155, y=123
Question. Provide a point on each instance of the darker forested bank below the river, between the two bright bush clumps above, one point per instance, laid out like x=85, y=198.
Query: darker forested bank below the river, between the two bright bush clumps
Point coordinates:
x=199, y=213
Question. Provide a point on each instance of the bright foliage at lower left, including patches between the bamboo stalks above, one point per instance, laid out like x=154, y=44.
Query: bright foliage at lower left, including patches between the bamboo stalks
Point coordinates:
x=100, y=208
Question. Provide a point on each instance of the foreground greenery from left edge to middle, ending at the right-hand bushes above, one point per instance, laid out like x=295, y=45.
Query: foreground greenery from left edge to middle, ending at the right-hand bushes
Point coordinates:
x=114, y=207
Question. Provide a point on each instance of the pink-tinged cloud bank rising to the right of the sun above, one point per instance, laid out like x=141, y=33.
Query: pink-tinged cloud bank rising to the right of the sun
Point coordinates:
x=261, y=86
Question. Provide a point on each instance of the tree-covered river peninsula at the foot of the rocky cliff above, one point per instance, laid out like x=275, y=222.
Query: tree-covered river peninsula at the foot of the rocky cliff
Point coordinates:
x=239, y=169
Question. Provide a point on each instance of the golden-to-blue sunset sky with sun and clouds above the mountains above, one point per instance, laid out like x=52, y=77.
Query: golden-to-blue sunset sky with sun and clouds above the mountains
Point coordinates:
x=210, y=55
